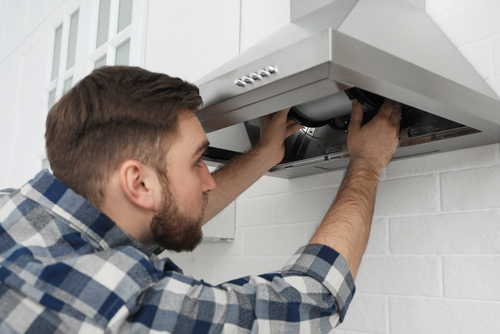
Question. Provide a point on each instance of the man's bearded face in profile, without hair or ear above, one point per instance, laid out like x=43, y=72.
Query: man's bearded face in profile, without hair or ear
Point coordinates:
x=185, y=182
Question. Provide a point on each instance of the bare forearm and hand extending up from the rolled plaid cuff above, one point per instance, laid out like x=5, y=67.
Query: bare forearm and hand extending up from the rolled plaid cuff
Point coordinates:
x=346, y=226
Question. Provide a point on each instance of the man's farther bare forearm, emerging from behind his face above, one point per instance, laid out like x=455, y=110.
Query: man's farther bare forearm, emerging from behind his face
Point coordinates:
x=235, y=177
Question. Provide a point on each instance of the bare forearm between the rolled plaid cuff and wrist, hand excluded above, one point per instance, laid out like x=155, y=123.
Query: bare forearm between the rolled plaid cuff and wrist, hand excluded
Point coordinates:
x=346, y=226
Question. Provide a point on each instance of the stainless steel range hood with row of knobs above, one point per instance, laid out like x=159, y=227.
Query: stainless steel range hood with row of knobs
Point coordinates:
x=387, y=47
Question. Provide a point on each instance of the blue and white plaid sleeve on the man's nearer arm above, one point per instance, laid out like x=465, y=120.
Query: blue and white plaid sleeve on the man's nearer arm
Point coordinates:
x=311, y=294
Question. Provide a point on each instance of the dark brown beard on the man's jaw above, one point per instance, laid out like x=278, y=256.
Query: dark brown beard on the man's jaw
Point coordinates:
x=174, y=230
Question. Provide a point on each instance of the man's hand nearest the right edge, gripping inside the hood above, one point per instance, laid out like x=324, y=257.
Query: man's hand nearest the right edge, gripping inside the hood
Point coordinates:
x=375, y=142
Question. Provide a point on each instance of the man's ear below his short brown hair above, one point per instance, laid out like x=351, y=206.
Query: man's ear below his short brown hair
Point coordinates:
x=139, y=184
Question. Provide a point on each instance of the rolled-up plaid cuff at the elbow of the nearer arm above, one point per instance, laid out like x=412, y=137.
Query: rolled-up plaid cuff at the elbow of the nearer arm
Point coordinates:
x=328, y=267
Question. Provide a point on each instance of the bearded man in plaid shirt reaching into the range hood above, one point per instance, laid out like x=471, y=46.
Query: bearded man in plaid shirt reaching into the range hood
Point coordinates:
x=126, y=151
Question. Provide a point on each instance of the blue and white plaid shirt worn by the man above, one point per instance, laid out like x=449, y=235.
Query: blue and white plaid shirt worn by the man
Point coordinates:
x=65, y=267
